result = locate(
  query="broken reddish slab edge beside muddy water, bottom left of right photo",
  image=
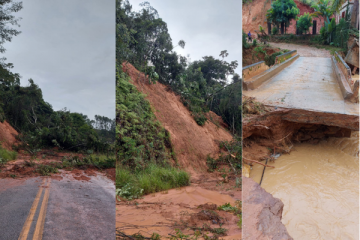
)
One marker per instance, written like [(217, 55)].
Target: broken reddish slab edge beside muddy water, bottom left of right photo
[(262, 214)]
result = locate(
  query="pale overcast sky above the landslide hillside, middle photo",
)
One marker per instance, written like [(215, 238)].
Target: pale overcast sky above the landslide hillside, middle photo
[(207, 26)]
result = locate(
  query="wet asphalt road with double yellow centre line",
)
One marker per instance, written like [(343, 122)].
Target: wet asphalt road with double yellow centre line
[(47, 208)]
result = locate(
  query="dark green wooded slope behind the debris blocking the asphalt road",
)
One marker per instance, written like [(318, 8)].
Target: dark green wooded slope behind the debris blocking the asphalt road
[(39, 125)]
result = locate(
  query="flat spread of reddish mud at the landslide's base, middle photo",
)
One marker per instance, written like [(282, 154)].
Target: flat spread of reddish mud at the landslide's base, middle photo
[(185, 209)]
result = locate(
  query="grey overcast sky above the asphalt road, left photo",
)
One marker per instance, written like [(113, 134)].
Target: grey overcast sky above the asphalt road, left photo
[(68, 48)]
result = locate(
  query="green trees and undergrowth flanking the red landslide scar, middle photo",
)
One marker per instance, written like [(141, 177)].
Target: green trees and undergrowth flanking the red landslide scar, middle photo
[(145, 156)]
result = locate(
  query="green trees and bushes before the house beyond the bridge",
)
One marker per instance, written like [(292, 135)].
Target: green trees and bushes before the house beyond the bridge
[(331, 34)]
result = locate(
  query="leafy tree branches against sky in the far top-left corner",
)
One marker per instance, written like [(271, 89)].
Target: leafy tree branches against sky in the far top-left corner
[(7, 8)]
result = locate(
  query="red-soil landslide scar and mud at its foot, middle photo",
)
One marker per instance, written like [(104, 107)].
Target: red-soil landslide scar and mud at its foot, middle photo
[(190, 208)]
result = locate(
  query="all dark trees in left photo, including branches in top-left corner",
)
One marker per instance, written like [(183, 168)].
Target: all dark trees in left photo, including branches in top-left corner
[(39, 126)]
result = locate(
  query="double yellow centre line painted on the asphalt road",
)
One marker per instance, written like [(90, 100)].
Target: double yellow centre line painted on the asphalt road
[(39, 228)]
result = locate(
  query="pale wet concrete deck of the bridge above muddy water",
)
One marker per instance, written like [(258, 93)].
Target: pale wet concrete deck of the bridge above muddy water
[(308, 83)]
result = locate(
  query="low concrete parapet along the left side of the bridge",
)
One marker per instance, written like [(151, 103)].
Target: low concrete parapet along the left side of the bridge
[(258, 79)]
